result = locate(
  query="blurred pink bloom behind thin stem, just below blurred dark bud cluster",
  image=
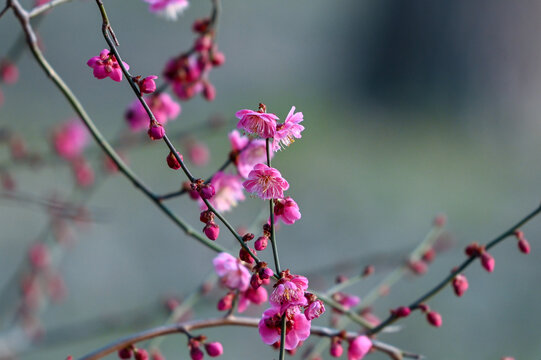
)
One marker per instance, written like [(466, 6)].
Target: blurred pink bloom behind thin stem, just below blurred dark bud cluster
[(163, 107)]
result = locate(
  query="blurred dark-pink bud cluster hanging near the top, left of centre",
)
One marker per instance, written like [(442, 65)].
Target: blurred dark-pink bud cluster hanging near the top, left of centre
[(188, 73)]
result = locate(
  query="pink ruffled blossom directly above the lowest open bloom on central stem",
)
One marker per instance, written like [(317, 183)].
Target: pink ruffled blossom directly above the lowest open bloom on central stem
[(289, 291)]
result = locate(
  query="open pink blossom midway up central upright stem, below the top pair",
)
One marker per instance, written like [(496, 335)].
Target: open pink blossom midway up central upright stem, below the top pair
[(266, 182)]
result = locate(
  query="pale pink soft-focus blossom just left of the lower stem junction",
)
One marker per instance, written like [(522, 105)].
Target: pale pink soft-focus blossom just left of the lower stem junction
[(232, 273)]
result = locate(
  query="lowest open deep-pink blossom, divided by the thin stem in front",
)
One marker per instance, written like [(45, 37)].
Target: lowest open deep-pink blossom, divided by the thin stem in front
[(297, 327)]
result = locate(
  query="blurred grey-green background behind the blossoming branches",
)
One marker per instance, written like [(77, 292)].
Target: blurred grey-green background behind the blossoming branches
[(410, 108)]
